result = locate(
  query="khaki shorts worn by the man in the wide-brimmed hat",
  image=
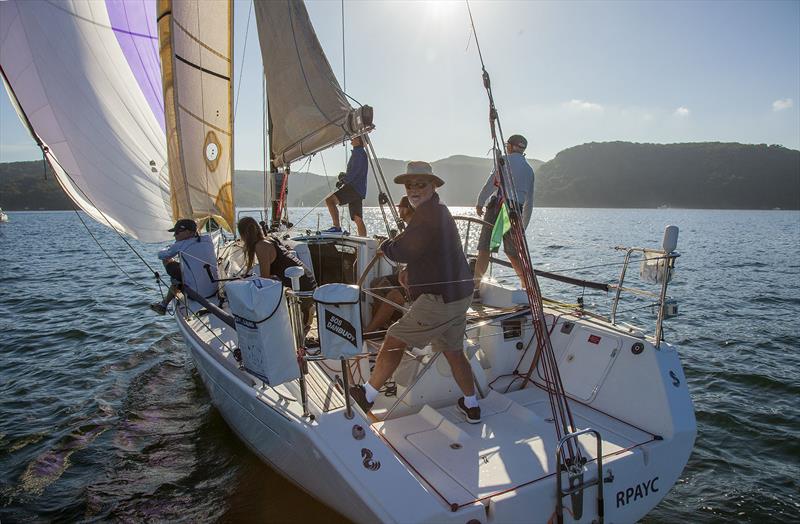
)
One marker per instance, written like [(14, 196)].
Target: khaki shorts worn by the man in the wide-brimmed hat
[(432, 321)]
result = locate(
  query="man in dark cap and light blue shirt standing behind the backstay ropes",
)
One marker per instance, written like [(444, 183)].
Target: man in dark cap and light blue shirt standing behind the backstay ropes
[(521, 202)]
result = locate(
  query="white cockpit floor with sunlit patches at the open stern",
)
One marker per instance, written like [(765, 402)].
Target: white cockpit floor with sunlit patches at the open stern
[(513, 446)]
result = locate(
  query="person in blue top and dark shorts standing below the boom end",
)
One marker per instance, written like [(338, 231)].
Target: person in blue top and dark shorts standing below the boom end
[(352, 190)]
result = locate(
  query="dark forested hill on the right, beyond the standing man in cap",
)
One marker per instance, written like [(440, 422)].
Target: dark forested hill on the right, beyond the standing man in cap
[(710, 175)]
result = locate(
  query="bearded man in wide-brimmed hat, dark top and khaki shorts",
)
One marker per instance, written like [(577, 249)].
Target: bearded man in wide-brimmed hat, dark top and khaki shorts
[(439, 284)]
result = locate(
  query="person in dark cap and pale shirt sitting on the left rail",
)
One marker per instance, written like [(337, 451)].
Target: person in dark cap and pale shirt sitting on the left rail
[(195, 252)]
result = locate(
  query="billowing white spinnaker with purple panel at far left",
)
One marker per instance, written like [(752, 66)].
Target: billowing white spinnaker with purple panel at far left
[(85, 75)]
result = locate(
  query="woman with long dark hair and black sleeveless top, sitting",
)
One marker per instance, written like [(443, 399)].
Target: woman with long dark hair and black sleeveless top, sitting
[(272, 257)]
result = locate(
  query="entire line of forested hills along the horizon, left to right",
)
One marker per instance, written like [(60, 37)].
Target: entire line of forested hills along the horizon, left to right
[(611, 174)]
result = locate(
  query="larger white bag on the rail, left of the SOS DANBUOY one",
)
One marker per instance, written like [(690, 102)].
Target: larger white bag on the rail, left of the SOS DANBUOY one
[(264, 329)]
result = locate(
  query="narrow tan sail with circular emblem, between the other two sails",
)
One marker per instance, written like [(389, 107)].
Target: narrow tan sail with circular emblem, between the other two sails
[(196, 56)]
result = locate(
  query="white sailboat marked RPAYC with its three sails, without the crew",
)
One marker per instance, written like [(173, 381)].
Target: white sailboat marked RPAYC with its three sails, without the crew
[(135, 119)]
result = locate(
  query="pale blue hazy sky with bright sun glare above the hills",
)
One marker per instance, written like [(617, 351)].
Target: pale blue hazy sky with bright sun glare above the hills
[(563, 74)]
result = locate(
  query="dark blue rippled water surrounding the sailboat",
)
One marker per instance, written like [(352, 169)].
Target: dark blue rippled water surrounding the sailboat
[(102, 415)]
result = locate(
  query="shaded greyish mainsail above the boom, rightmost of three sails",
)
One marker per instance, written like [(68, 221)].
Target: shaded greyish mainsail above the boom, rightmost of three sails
[(308, 110)]
